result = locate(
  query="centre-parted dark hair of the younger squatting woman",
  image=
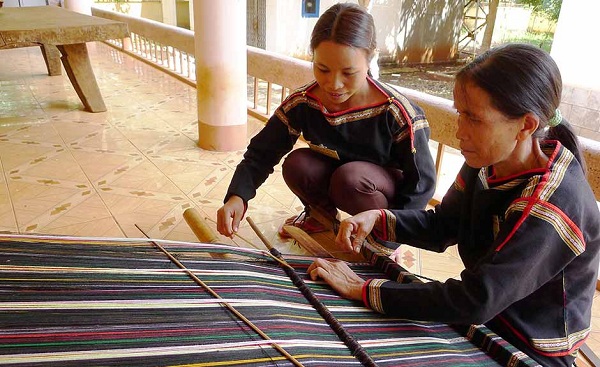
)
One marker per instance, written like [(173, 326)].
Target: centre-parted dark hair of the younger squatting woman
[(347, 24)]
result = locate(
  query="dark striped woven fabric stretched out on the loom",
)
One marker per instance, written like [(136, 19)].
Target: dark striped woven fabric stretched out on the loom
[(91, 302)]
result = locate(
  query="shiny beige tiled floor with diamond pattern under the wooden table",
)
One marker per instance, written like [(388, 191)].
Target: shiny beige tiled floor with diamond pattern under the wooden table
[(66, 171)]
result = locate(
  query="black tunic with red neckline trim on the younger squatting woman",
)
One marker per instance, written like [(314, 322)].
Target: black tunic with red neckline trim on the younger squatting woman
[(392, 134)]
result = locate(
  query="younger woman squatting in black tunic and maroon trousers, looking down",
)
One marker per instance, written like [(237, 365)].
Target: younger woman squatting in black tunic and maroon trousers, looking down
[(368, 143)]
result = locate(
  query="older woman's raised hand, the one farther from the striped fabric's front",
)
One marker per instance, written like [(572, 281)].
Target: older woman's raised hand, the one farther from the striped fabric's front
[(354, 230)]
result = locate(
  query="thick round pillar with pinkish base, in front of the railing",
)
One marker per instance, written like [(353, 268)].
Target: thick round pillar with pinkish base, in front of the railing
[(221, 72)]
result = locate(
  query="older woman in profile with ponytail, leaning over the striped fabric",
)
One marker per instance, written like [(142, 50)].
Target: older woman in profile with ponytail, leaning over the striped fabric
[(523, 216)]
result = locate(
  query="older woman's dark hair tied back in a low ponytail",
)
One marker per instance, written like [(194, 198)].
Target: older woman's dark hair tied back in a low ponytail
[(521, 78)]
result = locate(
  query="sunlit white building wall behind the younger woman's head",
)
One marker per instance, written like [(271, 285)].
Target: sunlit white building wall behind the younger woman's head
[(408, 31)]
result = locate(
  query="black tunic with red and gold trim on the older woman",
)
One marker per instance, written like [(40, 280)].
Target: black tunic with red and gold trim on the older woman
[(530, 245)]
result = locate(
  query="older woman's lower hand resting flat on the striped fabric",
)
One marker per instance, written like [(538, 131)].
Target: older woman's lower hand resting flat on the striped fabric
[(339, 276)]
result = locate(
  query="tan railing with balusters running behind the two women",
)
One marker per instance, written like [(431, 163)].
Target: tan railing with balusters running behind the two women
[(271, 76)]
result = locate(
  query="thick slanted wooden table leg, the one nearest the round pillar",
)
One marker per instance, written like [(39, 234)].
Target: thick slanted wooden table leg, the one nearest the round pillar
[(76, 61)]
